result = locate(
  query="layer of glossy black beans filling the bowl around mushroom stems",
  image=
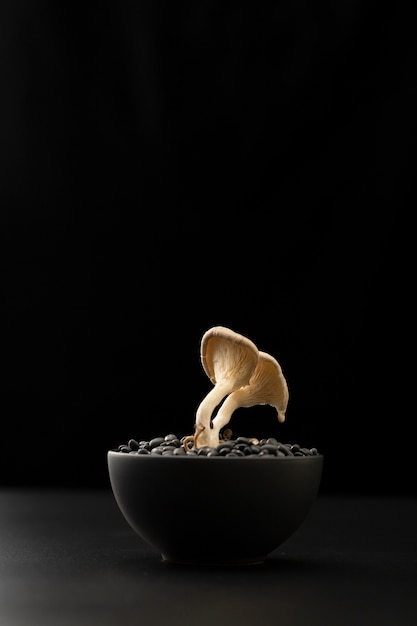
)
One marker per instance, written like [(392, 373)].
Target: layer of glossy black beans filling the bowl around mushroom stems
[(239, 447)]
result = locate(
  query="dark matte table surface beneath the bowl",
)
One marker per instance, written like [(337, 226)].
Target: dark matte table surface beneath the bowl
[(69, 558)]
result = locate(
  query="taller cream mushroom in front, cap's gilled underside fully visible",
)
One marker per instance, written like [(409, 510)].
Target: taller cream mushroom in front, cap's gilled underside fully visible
[(229, 360)]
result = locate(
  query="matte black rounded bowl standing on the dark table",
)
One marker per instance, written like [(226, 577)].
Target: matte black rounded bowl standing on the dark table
[(214, 510)]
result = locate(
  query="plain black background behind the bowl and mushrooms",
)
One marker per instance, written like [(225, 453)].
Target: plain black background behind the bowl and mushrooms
[(170, 168)]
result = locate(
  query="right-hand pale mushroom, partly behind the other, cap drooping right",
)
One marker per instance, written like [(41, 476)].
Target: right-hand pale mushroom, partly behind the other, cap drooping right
[(266, 386)]
